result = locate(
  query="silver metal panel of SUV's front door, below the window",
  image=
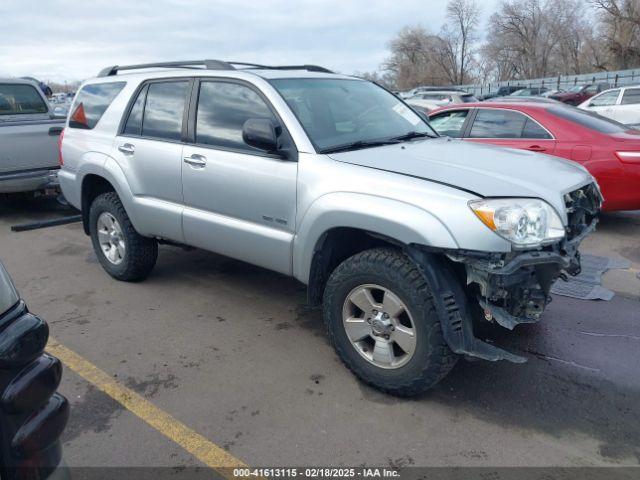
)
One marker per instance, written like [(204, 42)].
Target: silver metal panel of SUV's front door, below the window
[(224, 213)]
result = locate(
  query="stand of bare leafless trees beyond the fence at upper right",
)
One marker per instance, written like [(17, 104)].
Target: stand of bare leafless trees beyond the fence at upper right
[(524, 39)]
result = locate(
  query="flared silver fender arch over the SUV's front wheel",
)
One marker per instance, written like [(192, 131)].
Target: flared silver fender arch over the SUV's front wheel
[(398, 220)]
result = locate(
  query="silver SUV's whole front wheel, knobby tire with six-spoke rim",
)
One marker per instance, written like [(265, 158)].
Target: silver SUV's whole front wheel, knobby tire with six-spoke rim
[(381, 319)]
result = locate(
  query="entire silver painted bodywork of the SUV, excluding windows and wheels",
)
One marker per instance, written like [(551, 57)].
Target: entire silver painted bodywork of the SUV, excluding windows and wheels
[(417, 192)]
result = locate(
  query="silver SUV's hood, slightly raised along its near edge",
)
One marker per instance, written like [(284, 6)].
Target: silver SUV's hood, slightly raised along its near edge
[(484, 170)]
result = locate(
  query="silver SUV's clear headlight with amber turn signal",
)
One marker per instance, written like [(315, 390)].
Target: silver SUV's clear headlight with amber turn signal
[(525, 222)]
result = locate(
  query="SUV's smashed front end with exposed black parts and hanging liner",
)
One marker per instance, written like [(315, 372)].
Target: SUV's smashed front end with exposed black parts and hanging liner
[(510, 288)]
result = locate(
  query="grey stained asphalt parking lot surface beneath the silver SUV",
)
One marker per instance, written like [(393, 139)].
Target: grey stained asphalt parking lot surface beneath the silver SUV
[(231, 352)]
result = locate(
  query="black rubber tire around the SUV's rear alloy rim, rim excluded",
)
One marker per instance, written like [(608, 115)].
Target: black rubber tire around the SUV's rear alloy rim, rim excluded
[(141, 252)]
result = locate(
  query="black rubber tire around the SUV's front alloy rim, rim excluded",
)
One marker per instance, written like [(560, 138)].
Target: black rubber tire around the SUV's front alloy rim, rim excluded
[(432, 358)]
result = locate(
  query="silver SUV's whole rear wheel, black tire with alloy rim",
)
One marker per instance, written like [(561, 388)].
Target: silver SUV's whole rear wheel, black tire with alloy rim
[(123, 253)]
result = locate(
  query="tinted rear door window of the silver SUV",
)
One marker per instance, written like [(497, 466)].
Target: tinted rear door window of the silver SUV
[(164, 110)]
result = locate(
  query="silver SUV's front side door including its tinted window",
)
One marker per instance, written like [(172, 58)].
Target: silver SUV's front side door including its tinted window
[(239, 201)]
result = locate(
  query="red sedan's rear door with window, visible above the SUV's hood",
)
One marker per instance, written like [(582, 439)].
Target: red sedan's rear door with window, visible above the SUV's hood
[(510, 128)]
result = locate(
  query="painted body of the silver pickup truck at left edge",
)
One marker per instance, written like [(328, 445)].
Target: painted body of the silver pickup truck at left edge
[(29, 155)]
